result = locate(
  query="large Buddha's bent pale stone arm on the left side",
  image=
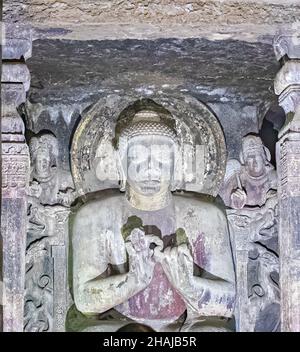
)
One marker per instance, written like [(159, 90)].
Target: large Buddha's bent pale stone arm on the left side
[(93, 292)]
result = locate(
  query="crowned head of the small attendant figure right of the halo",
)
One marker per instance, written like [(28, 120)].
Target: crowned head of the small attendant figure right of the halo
[(254, 156)]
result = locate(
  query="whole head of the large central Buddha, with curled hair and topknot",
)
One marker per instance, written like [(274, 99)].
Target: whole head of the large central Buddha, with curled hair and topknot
[(148, 147)]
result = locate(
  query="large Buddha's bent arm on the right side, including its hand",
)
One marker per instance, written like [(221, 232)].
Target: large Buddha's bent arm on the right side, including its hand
[(213, 294)]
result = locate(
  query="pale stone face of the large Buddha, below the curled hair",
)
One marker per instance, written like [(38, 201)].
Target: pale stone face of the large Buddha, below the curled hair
[(150, 163)]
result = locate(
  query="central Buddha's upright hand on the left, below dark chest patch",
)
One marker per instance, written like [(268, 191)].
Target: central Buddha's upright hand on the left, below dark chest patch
[(141, 260)]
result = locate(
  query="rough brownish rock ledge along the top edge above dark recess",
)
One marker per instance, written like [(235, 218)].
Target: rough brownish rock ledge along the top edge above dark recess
[(153, 19)]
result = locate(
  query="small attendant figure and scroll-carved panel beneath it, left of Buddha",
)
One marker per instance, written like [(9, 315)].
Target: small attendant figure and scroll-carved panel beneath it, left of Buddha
[(49, 196)]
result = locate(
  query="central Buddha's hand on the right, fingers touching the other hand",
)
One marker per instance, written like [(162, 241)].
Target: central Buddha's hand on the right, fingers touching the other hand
[(178, 265)]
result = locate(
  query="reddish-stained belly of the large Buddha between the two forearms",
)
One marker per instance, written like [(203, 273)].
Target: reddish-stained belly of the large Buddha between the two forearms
[(158, 301)]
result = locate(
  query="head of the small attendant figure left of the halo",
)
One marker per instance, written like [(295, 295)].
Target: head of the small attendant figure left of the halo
[(43, 152)]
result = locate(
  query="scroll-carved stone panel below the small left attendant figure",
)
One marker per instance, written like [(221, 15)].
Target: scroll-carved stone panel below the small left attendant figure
[(46, 279)]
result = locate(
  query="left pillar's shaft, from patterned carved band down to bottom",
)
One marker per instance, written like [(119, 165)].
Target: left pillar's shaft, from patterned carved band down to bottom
[(15, 172)]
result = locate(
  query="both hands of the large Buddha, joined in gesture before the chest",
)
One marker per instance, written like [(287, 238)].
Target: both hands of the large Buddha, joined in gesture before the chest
[(145, 251)]
